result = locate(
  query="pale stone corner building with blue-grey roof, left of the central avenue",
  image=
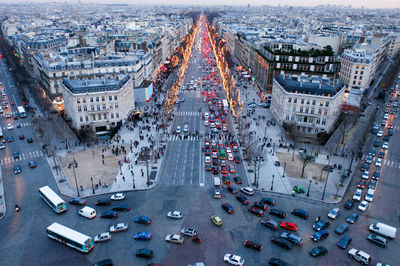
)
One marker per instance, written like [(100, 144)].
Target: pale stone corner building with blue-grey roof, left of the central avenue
[(99, 104)]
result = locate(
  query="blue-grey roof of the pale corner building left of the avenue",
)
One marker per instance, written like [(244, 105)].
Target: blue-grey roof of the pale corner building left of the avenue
[(76, 86)]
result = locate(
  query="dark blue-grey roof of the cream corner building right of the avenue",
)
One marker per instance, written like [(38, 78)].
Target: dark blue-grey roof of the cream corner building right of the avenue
[(313, 86)]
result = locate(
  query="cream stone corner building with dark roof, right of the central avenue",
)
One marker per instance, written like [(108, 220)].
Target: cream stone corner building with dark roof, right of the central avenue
[(313, 105)]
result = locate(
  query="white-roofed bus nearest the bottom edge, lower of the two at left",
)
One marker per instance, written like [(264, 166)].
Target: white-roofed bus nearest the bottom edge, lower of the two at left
[(70, 237)]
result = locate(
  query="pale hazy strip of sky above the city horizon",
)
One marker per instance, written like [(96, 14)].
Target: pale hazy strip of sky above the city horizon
[(353, 3)]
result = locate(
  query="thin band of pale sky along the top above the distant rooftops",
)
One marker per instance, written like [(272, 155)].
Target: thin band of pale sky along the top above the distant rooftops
[(369, 4)]
